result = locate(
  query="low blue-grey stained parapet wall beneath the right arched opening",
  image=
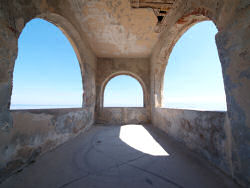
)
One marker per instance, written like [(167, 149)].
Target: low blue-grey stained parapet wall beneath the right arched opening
[(203, 132)]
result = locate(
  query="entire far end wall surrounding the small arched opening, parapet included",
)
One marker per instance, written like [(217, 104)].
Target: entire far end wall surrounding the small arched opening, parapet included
[(108, 69)]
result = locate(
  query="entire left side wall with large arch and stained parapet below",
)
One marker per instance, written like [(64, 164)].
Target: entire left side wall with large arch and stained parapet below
[(26, 134)]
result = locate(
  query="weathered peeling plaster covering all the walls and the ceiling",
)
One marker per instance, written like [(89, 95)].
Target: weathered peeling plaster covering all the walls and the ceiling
[(112, 29)]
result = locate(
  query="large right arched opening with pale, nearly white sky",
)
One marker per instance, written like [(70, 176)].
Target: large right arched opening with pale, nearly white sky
[(193, 77)]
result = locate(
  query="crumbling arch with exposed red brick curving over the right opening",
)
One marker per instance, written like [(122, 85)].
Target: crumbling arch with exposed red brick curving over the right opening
[(169, 38)]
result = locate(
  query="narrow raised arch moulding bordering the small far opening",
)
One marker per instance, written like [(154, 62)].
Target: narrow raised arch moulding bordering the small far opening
[(105, 82)]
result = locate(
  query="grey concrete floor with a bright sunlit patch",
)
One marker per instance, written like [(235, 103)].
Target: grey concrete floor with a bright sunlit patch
[(101, 158)]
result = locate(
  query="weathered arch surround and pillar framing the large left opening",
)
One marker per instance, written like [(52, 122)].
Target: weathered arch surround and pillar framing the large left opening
[(11, 49)]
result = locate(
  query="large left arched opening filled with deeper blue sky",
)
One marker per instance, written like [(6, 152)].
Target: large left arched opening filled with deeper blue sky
[(47, 72)]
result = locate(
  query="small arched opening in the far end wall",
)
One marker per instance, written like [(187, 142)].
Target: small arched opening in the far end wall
[(123, 91)]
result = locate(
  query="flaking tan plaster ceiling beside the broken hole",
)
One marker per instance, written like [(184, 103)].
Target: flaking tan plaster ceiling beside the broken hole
[(114, 29)]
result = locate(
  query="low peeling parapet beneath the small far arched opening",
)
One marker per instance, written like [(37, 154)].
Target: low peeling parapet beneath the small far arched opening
[(122, 116)]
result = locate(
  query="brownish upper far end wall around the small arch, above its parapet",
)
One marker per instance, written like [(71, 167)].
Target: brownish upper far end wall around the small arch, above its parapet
[(109, 68)]
